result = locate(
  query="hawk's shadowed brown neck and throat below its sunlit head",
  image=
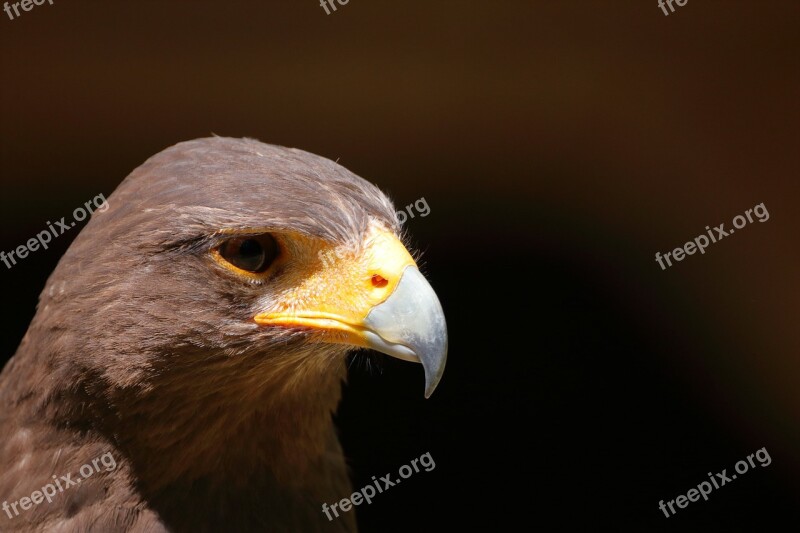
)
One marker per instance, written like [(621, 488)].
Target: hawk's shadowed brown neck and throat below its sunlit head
[(221, 446)]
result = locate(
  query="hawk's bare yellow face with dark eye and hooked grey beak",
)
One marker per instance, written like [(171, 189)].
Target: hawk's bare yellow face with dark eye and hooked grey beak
[(367, 293)]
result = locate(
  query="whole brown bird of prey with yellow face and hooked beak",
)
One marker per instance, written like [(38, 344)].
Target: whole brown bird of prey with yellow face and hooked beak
[(195, 334)]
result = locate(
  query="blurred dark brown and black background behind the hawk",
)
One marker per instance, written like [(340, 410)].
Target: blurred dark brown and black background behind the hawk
[(559, 145)]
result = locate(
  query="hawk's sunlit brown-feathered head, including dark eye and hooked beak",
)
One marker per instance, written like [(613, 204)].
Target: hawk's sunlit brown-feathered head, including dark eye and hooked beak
[(260, 255)]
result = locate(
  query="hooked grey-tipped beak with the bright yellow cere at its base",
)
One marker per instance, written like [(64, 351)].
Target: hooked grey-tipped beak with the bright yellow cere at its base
[(376, 299)]
